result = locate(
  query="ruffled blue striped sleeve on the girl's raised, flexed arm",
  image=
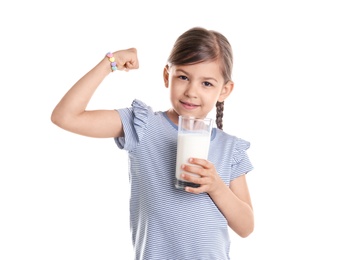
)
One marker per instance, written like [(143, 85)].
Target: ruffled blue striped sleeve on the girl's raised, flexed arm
[(134, 120)]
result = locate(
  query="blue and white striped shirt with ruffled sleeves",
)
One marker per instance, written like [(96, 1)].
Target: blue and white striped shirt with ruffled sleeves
[(167, 223)]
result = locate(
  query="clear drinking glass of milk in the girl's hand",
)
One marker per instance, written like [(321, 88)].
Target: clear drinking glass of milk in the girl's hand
[(193, 140)]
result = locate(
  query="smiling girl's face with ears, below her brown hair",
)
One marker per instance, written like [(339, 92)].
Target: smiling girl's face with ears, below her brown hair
[(195, 89)]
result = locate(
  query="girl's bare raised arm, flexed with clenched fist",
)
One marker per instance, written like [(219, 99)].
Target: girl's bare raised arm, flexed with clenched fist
[(71, 114)]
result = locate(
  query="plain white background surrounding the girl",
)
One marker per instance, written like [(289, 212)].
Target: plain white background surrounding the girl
[(64, 196)]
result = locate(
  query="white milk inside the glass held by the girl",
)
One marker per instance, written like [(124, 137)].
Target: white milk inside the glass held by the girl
[(191, 145)]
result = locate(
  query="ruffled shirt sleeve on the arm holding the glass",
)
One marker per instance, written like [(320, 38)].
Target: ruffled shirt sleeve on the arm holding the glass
[(241, 163)]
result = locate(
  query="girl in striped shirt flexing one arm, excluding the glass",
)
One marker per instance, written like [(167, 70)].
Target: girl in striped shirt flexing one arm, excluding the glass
[(168, 223)]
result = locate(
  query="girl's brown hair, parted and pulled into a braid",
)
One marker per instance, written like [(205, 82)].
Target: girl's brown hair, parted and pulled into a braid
[(200, 45)]
